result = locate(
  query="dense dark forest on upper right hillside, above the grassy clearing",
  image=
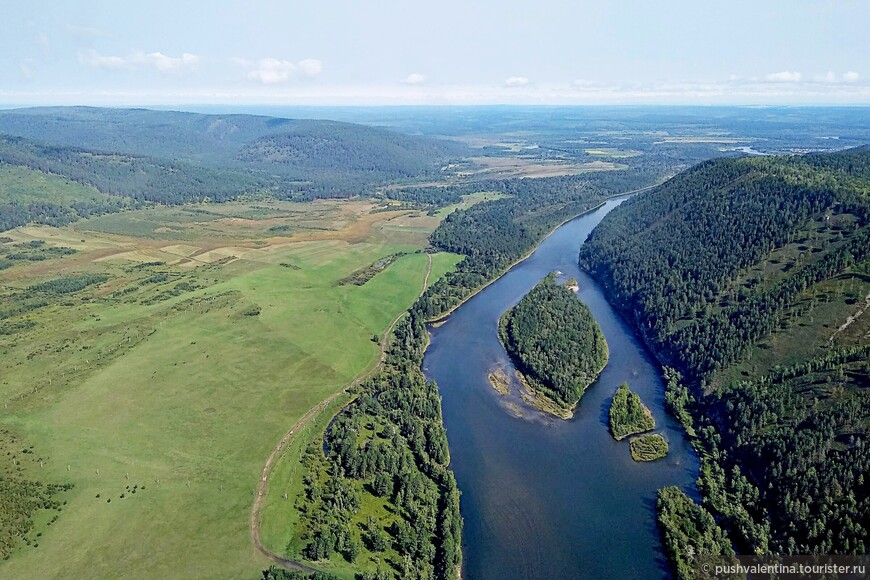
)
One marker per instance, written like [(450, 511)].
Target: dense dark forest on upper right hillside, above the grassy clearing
[(666, 257)]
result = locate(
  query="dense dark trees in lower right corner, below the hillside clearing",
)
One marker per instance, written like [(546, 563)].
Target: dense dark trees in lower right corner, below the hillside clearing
[(801, 432)]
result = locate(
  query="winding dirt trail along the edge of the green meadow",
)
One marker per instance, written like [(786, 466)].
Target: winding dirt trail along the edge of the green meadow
[(263, 484)]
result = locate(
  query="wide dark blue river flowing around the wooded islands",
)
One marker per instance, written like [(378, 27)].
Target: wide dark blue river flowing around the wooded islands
[(541, 497)]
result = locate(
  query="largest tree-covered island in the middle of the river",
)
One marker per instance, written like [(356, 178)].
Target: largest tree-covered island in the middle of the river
[(556, 345)]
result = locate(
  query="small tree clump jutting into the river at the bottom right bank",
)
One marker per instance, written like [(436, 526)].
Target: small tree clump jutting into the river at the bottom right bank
[(688, 531)]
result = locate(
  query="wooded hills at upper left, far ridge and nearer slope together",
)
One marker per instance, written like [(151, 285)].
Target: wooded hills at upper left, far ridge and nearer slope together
[(137, 153)]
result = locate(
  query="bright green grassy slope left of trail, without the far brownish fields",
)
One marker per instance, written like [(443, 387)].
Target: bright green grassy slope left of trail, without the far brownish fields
[(197, 406)]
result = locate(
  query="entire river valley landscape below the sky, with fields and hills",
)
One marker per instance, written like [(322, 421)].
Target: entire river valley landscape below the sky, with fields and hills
[(174, 317)]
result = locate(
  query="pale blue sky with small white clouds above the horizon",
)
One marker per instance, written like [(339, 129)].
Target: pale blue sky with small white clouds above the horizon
[(456, 52)]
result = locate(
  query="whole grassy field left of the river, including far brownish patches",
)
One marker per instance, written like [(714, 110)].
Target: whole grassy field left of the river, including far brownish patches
[(160, 392)]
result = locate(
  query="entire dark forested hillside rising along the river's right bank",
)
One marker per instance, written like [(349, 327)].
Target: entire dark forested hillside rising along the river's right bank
[(750, 277)]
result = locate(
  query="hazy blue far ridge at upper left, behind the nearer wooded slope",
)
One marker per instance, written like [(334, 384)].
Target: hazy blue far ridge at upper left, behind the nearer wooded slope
[(308, 150)]
